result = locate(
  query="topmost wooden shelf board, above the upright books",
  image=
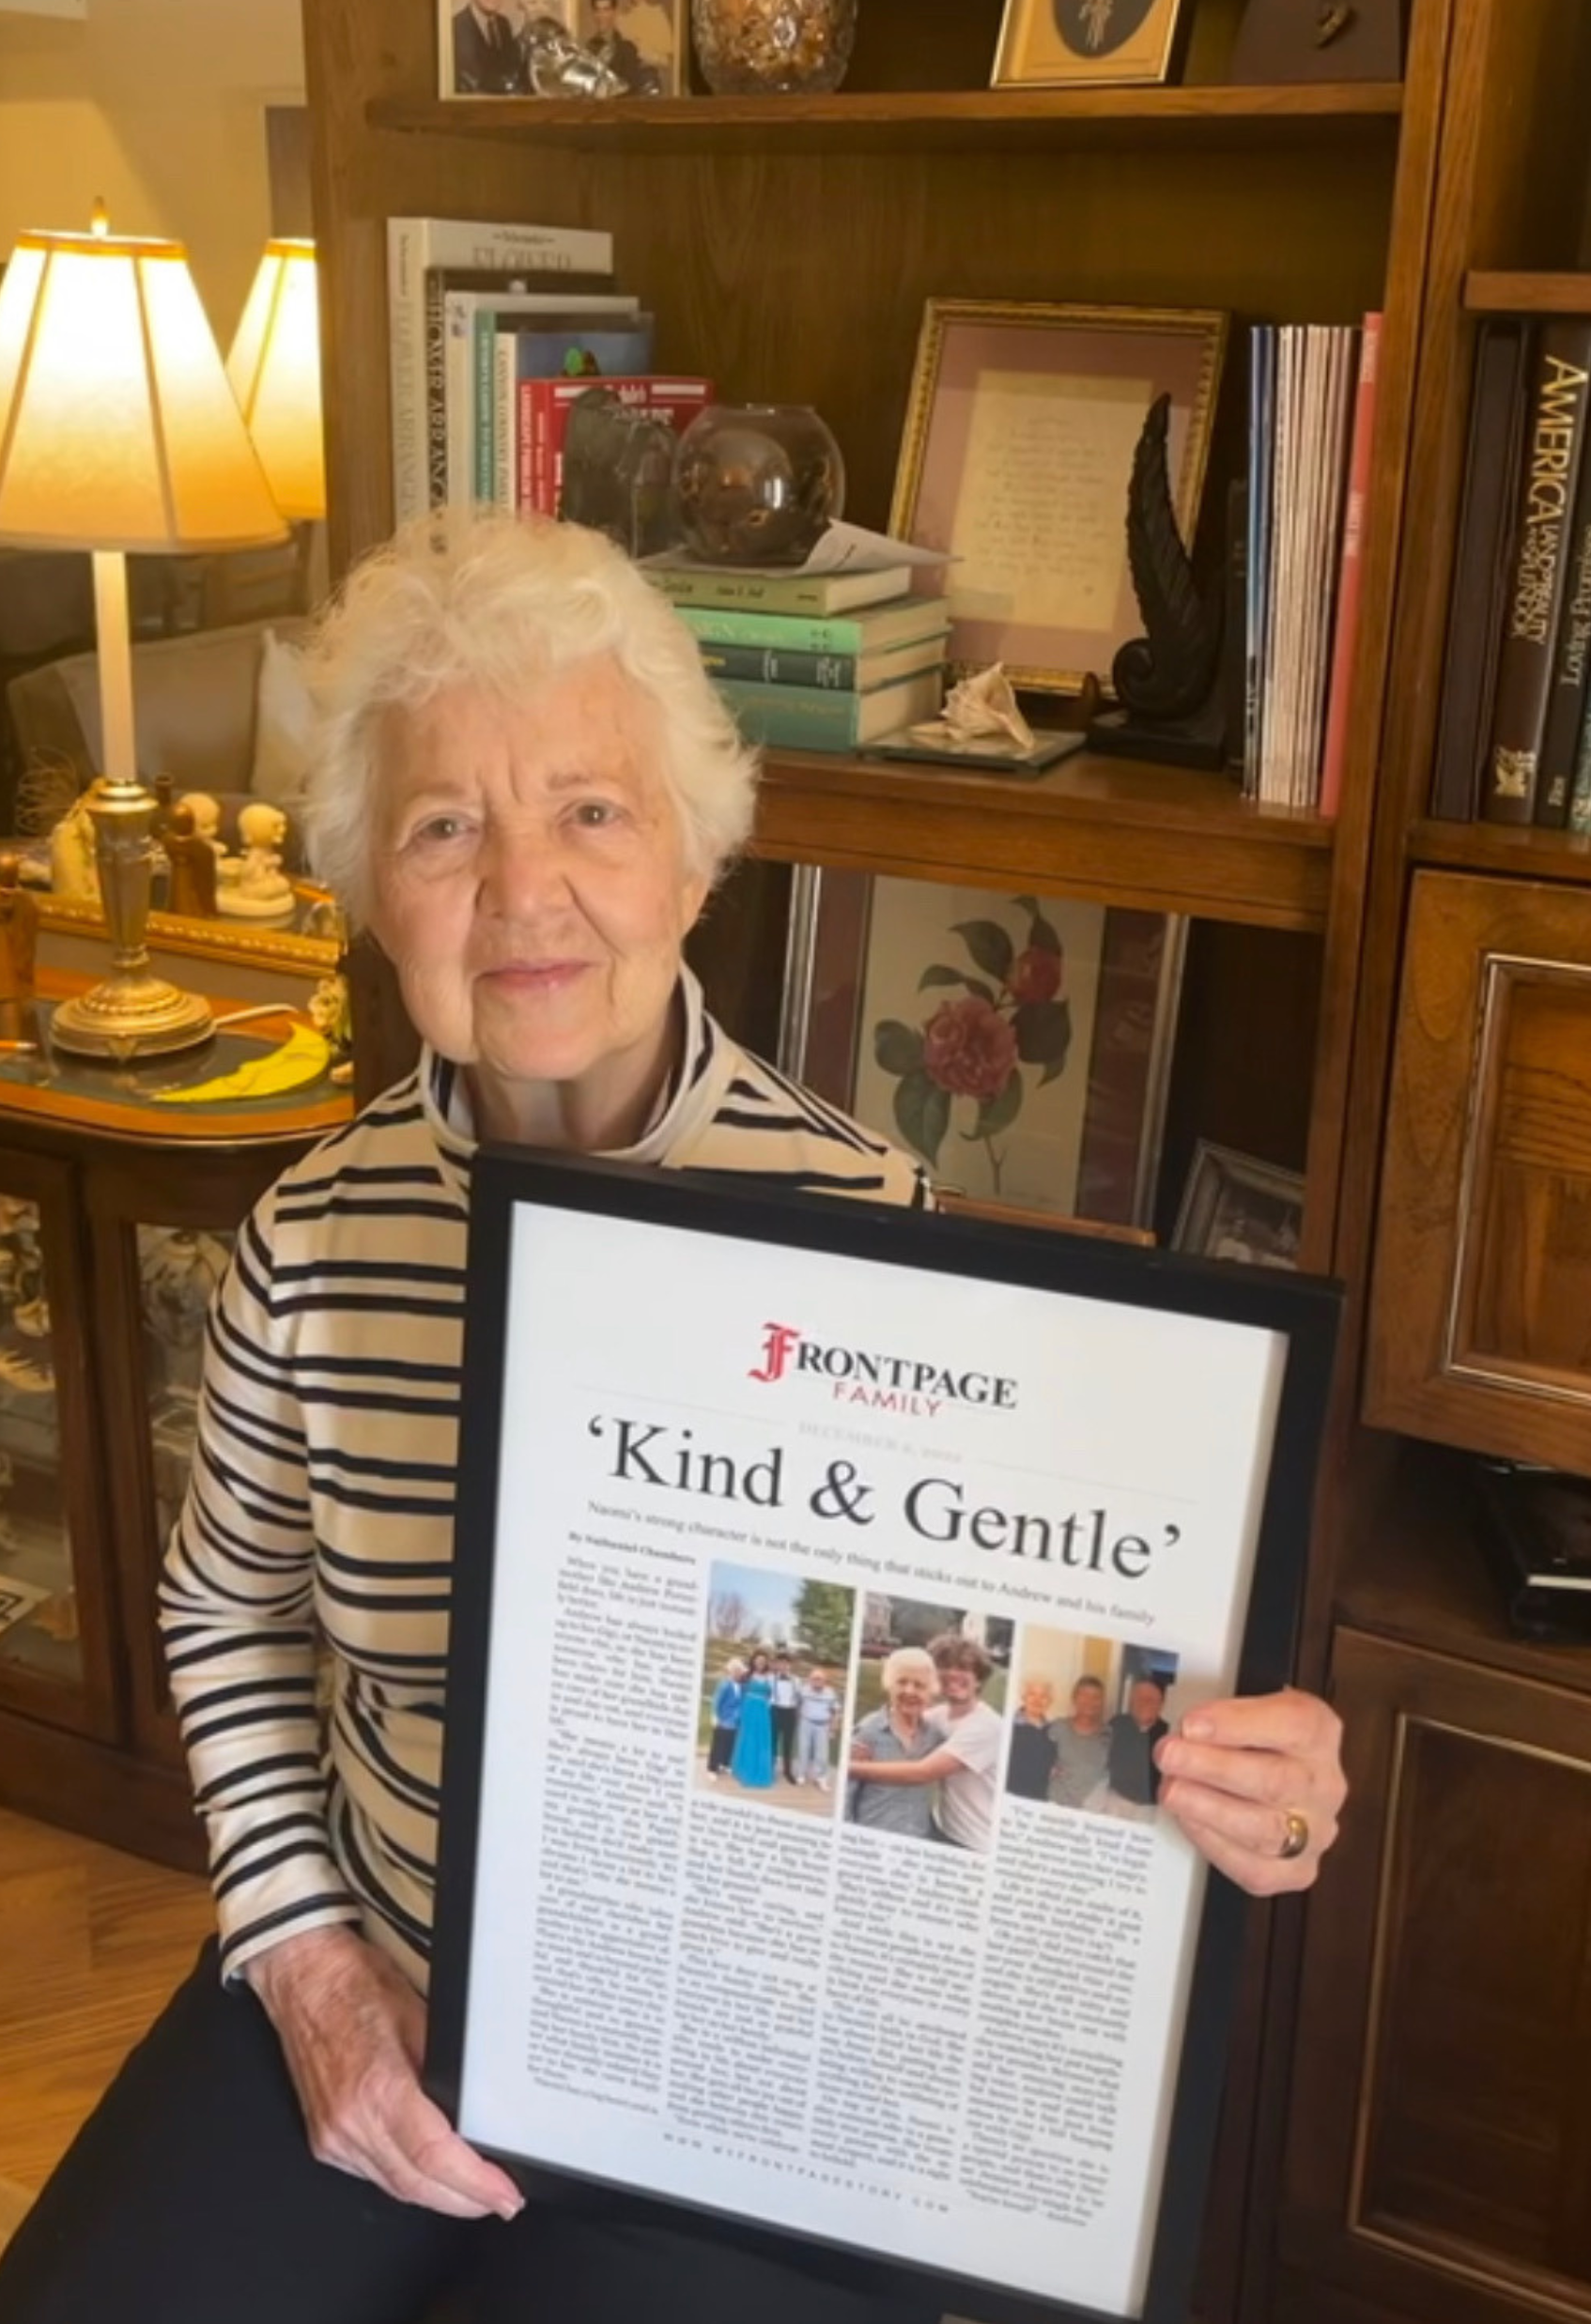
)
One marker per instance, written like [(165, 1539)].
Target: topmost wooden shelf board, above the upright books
[(915, 120)]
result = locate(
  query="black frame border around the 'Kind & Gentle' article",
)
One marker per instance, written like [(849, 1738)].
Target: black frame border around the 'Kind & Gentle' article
[(1301, 1310)]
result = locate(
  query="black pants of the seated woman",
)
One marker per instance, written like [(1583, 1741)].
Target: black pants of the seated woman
[(192, 2195)]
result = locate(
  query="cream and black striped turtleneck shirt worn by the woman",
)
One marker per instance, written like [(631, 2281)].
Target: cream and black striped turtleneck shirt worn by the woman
[(320, 1519)]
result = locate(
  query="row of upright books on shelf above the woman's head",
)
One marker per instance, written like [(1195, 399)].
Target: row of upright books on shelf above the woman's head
[(494, 333)]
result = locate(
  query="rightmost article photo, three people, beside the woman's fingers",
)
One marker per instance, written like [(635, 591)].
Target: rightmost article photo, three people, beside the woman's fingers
[(1085, 1723)]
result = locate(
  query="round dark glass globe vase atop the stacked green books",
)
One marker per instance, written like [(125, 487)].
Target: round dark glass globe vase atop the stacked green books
[(757, 485)]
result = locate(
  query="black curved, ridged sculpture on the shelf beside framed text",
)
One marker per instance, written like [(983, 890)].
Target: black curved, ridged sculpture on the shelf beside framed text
[(1169, 682)]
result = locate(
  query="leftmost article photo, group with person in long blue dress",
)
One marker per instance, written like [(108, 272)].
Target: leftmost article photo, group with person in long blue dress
[(773, 1700)]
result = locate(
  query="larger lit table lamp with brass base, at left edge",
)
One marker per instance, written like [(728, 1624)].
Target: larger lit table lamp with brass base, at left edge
[(120, 433)]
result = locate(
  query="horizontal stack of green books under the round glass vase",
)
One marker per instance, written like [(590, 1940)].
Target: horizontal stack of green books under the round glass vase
[(815, 661)]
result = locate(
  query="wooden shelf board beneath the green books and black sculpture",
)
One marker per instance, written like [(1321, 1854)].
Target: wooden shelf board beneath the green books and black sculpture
[(1106, 829)]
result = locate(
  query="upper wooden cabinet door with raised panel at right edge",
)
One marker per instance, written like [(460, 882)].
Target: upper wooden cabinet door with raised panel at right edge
[(1481, 1321)]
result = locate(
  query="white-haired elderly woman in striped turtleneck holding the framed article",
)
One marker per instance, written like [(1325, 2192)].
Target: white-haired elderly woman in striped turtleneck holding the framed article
[(527, 789)]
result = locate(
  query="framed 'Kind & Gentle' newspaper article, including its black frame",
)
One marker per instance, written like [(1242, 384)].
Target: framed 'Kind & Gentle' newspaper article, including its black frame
[(825, 1581)]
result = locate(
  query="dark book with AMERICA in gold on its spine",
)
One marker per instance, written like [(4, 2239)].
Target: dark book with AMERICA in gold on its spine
[(1555, 450)]
